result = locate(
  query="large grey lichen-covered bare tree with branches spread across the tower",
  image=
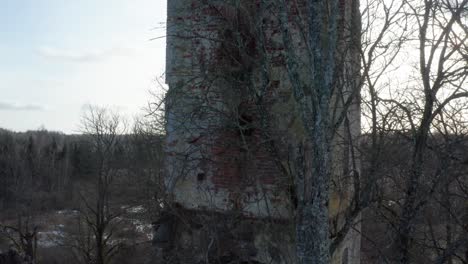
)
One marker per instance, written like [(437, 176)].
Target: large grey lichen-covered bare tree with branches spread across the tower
[(238, 67)]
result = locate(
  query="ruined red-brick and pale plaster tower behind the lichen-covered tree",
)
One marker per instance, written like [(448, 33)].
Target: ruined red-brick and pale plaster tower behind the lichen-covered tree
[(234, 139)]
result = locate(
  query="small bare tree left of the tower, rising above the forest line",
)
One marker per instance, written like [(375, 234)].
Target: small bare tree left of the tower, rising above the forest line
[(99, 214)]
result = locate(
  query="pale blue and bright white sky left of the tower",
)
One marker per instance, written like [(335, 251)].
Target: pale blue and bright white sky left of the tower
[(58, 56)]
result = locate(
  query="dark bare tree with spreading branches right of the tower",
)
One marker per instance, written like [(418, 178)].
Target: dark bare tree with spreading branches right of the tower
[(421, 106)]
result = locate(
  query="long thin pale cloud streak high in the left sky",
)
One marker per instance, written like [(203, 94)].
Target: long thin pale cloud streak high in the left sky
[(83, 55)]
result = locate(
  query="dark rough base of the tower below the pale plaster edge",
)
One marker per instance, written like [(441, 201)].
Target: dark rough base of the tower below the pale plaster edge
[(226, 237)]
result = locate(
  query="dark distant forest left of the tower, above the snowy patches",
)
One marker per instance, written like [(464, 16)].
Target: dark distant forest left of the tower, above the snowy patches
[(43, 170)]
